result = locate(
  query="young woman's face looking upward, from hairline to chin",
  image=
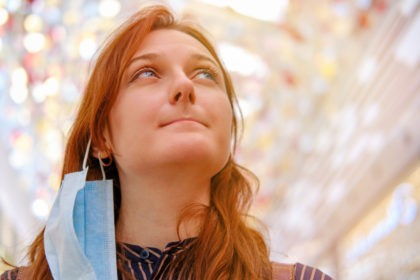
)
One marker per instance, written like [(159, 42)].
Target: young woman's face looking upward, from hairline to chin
[(172, 108)]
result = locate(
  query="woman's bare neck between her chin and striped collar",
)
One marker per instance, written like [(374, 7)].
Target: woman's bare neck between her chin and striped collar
[(151, 205)]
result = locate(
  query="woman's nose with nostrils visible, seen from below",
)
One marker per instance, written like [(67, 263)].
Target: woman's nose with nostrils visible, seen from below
[(182, 90)]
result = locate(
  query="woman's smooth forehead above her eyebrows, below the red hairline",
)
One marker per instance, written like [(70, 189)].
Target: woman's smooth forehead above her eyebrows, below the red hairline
[(171, 41)]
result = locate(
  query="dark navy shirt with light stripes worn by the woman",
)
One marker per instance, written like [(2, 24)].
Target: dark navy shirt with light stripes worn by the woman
[(152, 263)]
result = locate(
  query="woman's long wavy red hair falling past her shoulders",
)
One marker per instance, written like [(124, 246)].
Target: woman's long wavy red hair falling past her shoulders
[(226, 247)]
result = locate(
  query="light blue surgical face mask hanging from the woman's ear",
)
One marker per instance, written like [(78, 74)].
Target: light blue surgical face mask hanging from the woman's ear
[(79, 237)]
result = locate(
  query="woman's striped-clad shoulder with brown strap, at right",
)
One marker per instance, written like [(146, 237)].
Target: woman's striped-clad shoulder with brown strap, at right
[(297, 271)]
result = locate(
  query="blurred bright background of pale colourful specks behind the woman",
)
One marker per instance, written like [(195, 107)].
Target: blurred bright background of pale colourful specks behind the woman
[(330, 92)]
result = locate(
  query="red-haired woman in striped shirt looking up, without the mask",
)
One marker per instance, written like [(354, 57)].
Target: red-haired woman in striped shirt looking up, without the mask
[(159, 110)]
